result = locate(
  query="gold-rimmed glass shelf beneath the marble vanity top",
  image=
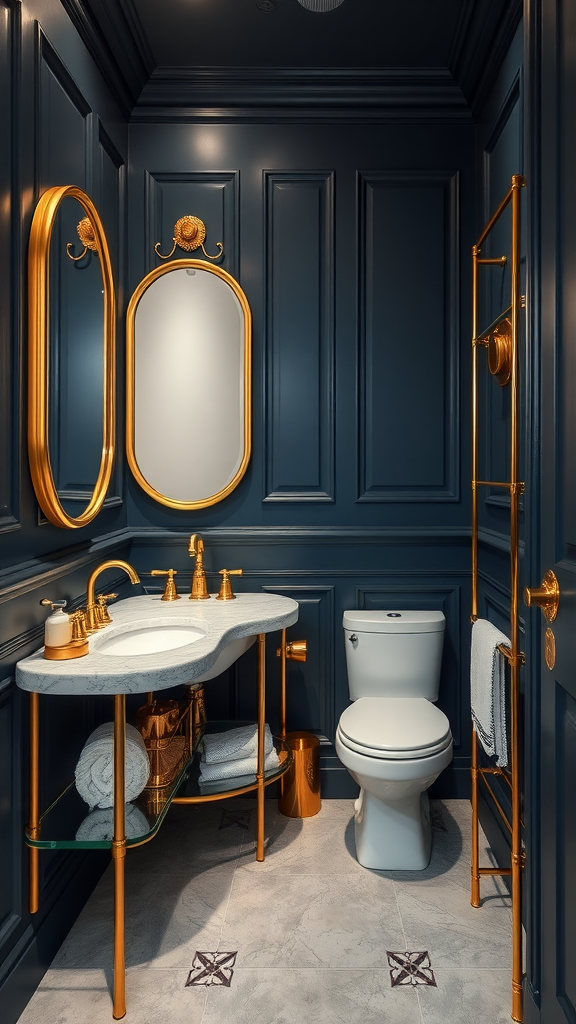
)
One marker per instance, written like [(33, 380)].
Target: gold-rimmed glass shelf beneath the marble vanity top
[(61, 823)]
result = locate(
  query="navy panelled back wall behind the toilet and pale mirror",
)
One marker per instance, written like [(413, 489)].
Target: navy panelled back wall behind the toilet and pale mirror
[(351, 242)]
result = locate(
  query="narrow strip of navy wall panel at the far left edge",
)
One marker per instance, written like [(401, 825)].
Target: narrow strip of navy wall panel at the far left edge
[(11, 121)]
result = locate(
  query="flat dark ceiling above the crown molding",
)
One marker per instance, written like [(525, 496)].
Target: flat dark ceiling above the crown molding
[(359, 34)]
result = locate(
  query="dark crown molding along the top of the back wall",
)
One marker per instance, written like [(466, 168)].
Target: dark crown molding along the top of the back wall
[(200, 95)]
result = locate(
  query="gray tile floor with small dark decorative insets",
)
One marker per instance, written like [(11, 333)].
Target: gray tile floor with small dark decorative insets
[(310, 927)]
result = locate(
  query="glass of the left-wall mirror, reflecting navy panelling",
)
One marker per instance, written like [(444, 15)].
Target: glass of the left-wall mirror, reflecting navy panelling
[(76, 362)]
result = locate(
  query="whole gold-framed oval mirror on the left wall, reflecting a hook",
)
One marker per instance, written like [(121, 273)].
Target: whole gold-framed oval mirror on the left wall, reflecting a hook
[(72, 344)]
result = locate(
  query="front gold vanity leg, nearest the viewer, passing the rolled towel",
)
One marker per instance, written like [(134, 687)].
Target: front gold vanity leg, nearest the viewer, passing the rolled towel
[(118, 856)]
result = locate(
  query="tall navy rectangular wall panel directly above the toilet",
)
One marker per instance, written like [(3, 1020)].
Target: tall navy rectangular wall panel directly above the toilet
[(408, 291)]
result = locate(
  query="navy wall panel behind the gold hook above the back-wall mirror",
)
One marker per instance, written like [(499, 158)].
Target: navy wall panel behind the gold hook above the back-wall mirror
[(213, 196)]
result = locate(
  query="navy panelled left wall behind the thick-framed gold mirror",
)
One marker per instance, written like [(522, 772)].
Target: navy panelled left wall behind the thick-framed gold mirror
[(59, 125)]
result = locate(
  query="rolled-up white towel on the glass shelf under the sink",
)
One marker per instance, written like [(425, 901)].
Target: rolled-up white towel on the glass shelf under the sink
[(95, 772)]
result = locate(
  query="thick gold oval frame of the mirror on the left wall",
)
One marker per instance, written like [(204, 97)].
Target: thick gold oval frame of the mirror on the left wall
[(38, 354)]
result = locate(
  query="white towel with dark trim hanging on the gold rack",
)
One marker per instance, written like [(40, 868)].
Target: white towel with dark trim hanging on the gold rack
[(488, 696)]
